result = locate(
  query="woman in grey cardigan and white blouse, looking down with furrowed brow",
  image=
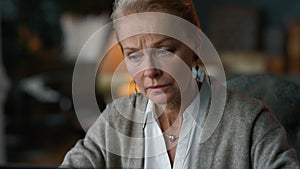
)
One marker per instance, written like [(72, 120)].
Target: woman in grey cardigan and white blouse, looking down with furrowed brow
[(163, 127)]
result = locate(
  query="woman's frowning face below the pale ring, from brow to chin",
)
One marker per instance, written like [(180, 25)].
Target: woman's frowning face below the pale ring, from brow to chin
[(159, 65)]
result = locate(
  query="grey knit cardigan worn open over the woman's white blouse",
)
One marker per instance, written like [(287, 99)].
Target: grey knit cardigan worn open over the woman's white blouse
[(248, 136)]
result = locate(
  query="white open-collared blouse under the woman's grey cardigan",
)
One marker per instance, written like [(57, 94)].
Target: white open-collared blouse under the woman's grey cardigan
[(156, 155)]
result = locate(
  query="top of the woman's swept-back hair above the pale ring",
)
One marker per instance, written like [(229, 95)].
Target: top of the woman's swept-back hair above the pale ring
[(181, 8)]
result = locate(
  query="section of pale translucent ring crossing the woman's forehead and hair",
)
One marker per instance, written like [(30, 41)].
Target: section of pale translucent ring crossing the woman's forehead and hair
[(159, 23)]
